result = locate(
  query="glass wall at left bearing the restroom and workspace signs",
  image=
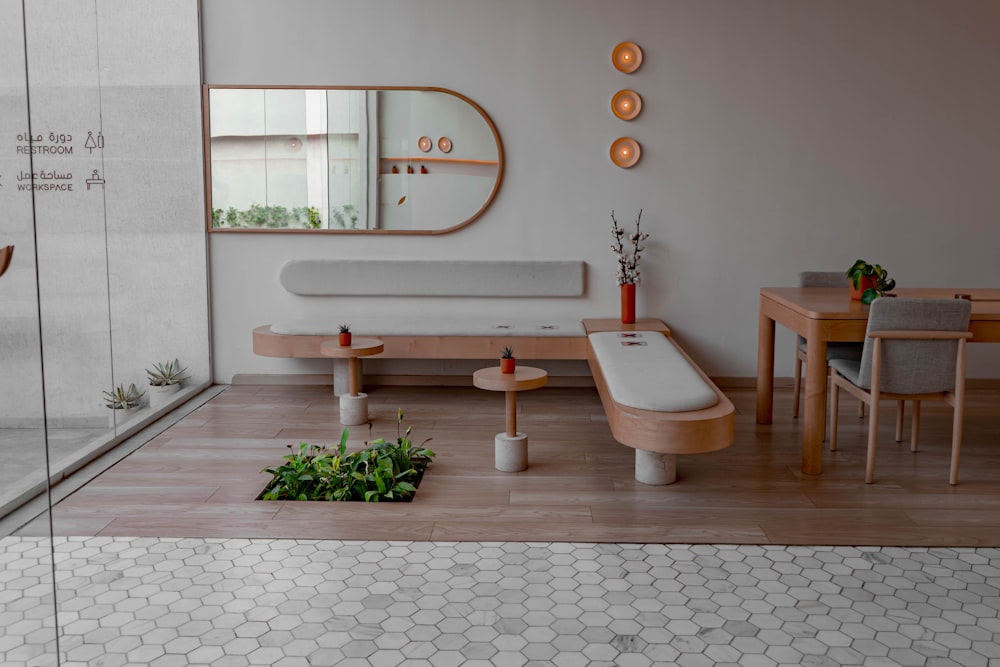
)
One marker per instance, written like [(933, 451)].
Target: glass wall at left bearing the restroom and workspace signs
[(101, 175)]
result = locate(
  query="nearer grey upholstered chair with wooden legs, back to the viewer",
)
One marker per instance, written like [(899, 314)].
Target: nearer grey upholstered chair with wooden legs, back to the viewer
[(914, 349)]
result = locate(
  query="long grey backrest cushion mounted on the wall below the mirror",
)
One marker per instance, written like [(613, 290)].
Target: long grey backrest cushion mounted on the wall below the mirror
[(418, 277)]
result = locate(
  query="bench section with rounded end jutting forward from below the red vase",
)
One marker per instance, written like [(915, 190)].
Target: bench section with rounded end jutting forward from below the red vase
[(657, 399)]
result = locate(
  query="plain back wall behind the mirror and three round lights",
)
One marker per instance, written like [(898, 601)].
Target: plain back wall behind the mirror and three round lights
[(777, 135)]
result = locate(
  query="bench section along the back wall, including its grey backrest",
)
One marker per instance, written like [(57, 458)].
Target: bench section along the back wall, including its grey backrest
[(311, 282)]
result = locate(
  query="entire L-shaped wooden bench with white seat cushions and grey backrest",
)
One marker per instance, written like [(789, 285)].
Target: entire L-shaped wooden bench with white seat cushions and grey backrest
[(658, 431)]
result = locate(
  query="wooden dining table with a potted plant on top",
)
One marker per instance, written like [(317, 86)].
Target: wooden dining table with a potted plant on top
[(822, 315)]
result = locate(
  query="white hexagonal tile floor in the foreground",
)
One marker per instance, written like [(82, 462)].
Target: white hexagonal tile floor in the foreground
[(166, 602)]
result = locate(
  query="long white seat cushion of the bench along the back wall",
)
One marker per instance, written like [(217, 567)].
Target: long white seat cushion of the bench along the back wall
[(410, 326)]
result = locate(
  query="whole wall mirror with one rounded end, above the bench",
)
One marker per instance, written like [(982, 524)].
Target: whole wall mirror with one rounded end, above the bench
[(347, 160)]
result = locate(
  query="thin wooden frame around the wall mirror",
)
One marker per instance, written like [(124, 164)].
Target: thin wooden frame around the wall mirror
[(207, 140)]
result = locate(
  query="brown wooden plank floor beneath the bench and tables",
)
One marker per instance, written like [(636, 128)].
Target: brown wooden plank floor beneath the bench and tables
[(200, 477)]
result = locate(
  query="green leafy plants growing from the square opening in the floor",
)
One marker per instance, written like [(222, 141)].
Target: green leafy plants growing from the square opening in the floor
[(382, 471)]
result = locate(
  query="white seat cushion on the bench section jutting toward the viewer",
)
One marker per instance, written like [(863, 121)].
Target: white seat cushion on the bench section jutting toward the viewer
[(644, 370)]
